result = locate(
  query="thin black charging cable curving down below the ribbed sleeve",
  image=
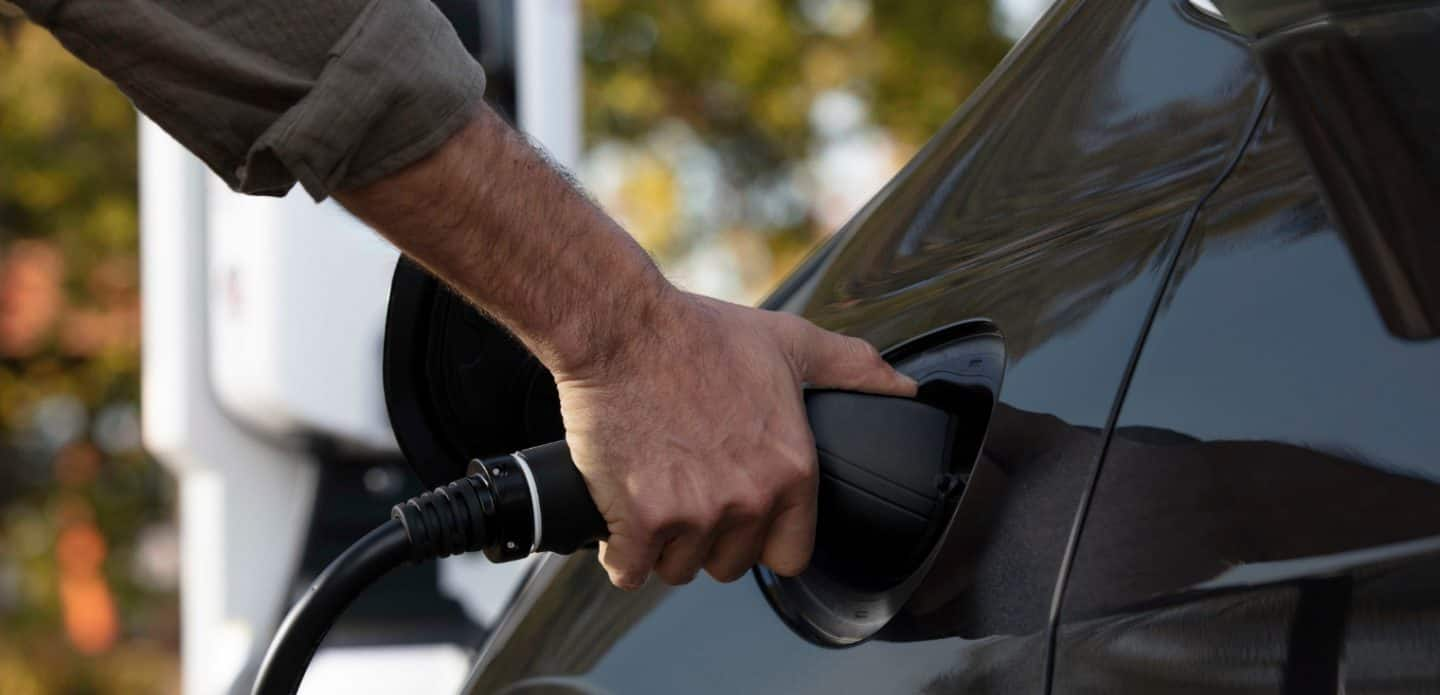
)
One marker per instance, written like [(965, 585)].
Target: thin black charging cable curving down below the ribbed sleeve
[(333, 591)]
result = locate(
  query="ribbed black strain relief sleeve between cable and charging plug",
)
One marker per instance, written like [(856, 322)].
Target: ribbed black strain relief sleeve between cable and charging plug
[(447, 522)]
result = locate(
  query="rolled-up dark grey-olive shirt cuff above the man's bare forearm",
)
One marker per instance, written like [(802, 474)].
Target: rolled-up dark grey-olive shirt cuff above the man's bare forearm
[(397, 87)]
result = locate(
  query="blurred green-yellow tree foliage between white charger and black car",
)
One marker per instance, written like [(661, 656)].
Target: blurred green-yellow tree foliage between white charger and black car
[(741, 80)]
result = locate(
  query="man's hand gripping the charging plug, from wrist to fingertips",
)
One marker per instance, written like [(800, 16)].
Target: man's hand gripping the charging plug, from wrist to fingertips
[(693, 438)]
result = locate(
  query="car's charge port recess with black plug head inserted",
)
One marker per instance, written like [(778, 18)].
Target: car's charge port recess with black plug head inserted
[(895, 478)]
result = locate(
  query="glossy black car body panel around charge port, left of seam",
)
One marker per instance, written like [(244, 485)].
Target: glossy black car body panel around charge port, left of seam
[(1050, 209)]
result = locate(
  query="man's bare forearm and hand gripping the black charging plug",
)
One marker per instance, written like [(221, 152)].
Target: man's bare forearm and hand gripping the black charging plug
[(683, 414)]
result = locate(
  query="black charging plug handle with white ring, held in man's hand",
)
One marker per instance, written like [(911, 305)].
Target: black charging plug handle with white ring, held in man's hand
[(883, 489)]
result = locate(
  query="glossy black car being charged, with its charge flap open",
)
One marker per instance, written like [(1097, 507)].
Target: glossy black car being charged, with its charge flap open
[(1177, 274)]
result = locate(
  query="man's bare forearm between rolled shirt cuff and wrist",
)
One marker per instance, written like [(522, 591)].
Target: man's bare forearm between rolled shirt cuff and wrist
[(490, 217)]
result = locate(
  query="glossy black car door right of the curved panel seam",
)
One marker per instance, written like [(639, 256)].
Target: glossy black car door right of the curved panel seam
[(1268, 514)]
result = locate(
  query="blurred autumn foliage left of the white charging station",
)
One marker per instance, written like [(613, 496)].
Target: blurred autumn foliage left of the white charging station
[(77, 494)]
